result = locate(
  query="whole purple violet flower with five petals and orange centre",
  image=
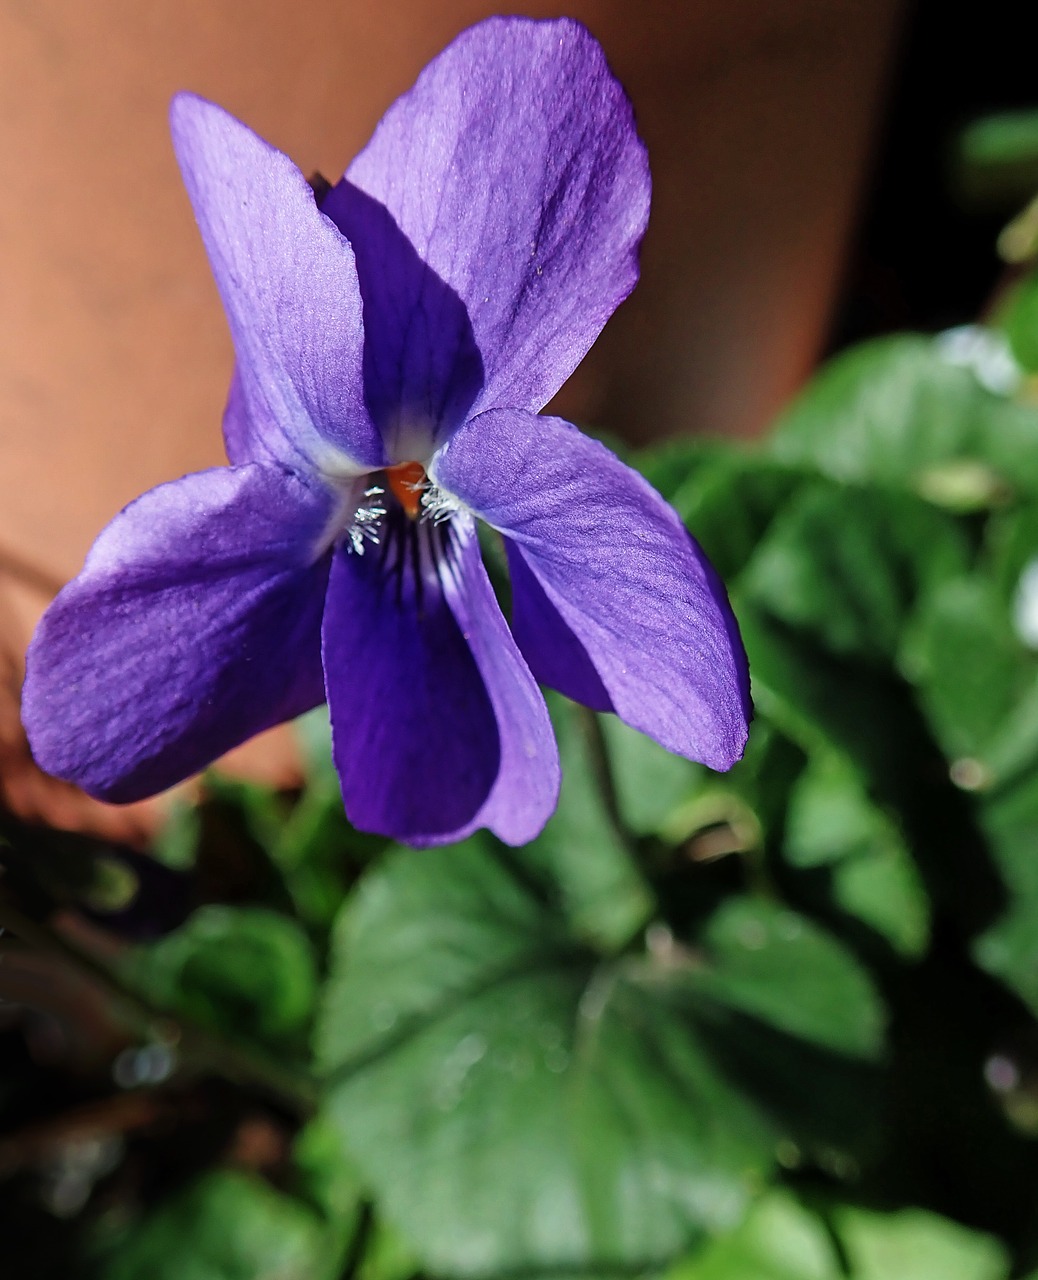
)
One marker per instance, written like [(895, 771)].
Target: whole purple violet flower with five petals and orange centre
[(395, 344)]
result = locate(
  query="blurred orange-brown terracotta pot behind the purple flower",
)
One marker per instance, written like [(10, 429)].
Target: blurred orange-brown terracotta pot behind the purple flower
[(116, 356)]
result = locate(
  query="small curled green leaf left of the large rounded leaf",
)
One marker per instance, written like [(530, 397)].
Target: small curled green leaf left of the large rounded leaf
[(245, 971)]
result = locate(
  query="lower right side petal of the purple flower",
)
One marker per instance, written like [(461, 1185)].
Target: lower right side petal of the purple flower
[(614, 602)]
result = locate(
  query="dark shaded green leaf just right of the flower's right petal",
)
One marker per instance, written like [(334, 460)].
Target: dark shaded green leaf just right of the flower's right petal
[(849, 565)]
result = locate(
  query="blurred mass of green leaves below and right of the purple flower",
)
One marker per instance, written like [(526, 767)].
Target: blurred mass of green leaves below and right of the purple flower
[(780, 1025)]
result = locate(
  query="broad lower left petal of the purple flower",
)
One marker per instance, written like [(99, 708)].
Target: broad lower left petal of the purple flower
[(194, 625)]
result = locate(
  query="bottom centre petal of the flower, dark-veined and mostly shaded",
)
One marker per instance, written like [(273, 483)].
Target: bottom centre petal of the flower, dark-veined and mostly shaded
[(438, 726)]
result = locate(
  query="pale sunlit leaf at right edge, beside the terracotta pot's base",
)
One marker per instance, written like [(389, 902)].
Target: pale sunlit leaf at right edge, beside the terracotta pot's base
[(897, 413)]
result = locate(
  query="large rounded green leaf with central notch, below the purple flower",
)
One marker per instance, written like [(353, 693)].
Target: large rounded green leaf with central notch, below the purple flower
[(516, 1101)]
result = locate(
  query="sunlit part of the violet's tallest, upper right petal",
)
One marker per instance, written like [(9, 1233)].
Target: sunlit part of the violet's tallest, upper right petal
[(515, 171)]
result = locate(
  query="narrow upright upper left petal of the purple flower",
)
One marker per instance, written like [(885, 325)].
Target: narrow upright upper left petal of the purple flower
[(290, 289)]
